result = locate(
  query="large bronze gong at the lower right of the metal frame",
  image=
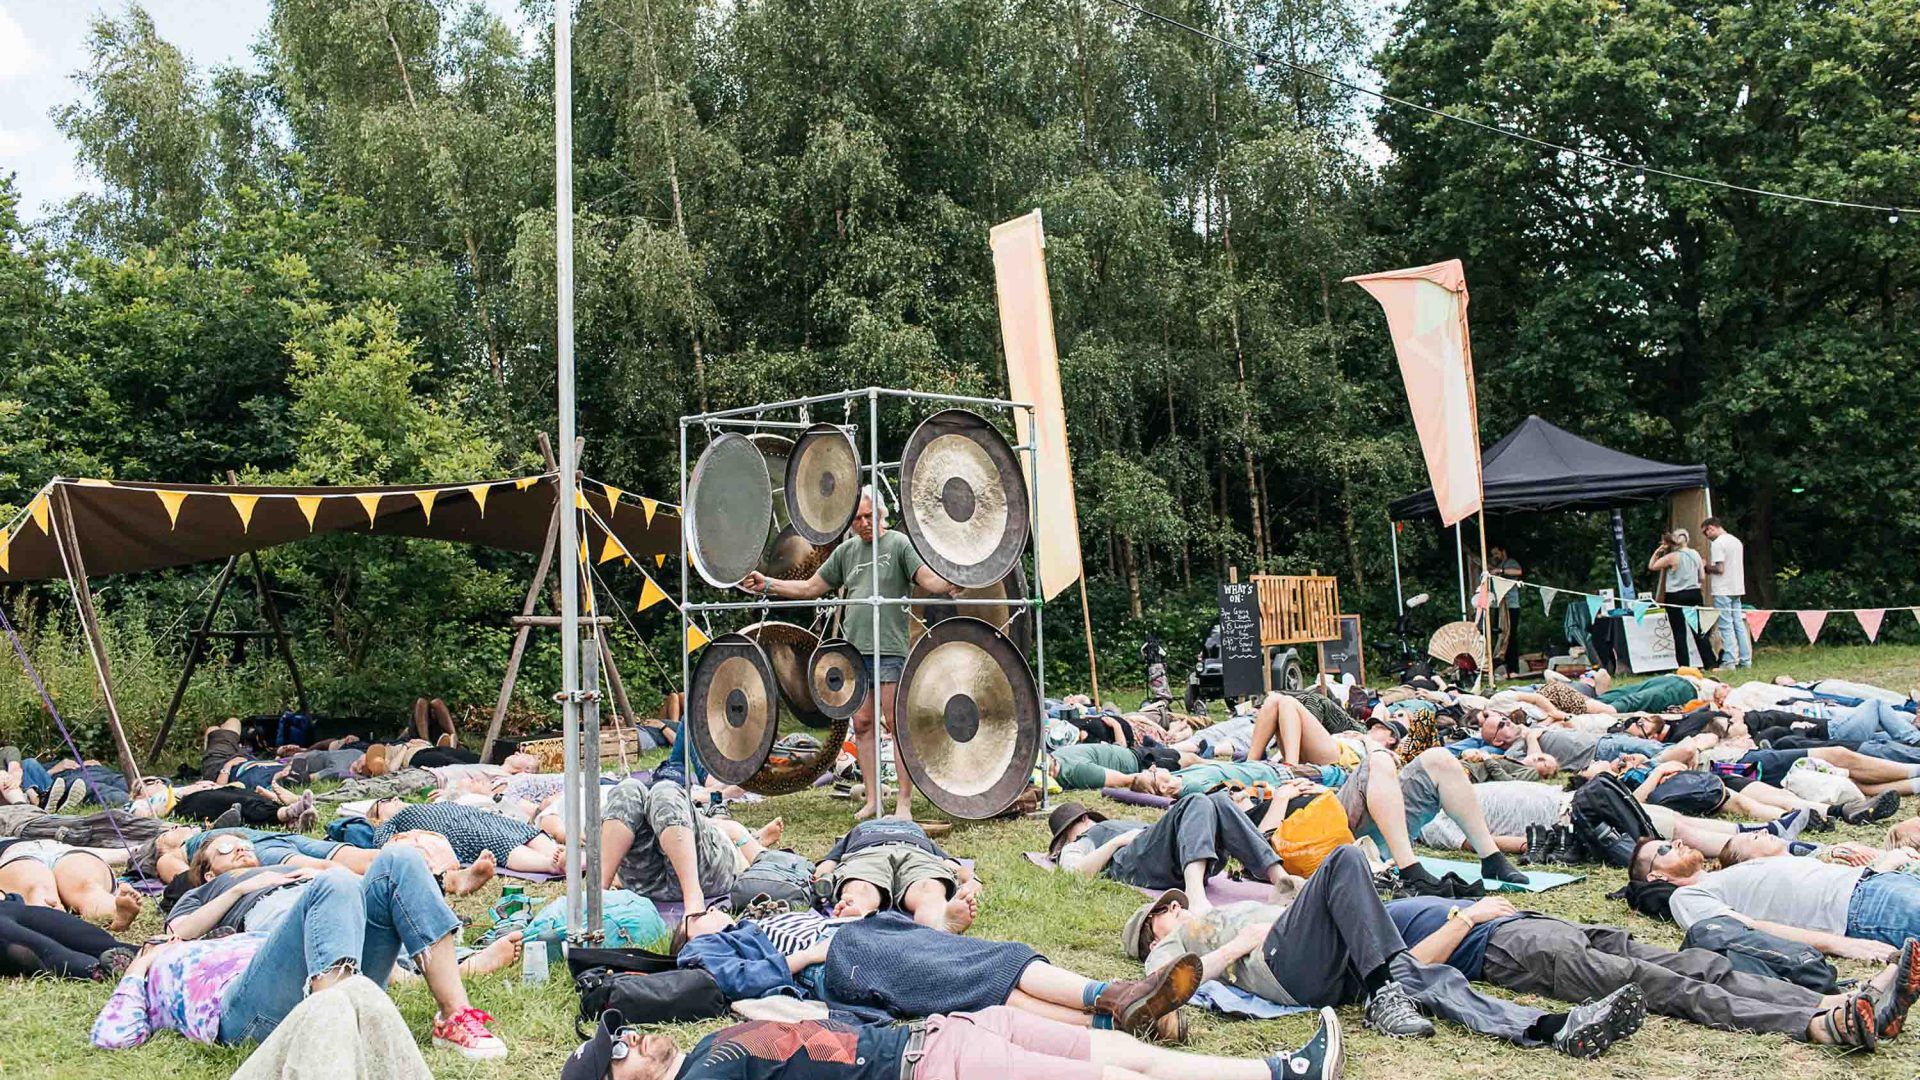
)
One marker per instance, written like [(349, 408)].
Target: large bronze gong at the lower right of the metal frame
[(969, 718)]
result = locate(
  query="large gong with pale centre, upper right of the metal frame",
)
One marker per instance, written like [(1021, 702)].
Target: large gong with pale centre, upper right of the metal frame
[(965, 501)]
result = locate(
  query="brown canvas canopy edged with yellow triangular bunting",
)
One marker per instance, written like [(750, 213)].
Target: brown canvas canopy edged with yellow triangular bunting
[(74, 529)]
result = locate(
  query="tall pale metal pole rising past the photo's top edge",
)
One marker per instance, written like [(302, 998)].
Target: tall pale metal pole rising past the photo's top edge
[(564, 258)]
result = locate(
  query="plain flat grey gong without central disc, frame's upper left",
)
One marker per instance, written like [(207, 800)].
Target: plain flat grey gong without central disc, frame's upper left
[(731, 510)]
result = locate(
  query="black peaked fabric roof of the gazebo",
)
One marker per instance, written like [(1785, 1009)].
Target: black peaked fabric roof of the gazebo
[(1539, 466)]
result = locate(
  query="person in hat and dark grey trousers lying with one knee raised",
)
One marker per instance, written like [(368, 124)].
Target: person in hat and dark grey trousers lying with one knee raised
[(1335, 945)]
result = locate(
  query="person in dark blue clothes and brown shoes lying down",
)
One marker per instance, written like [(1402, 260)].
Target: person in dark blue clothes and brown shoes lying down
[(892, 964)]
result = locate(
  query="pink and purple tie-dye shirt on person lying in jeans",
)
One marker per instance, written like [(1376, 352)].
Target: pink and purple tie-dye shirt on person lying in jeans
[(183, 991)]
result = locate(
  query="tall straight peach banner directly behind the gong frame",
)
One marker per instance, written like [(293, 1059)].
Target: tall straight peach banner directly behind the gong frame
[(1034, 376)]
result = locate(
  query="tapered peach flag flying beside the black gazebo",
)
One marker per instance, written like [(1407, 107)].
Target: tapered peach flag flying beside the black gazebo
[(1428, 318)]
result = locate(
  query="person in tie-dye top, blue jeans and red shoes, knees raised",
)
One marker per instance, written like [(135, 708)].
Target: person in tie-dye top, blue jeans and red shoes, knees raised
[(237, 989)]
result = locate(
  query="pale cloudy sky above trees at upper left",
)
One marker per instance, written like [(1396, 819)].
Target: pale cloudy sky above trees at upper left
[(45, 41)]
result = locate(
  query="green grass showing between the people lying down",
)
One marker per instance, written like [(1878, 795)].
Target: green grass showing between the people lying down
[(45, 1023)]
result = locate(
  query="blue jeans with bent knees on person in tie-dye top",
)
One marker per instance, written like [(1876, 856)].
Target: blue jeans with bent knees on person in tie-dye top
[(339, 920)]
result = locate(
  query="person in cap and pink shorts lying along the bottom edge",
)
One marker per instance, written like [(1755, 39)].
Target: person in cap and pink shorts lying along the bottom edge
[(994, 1044)]
